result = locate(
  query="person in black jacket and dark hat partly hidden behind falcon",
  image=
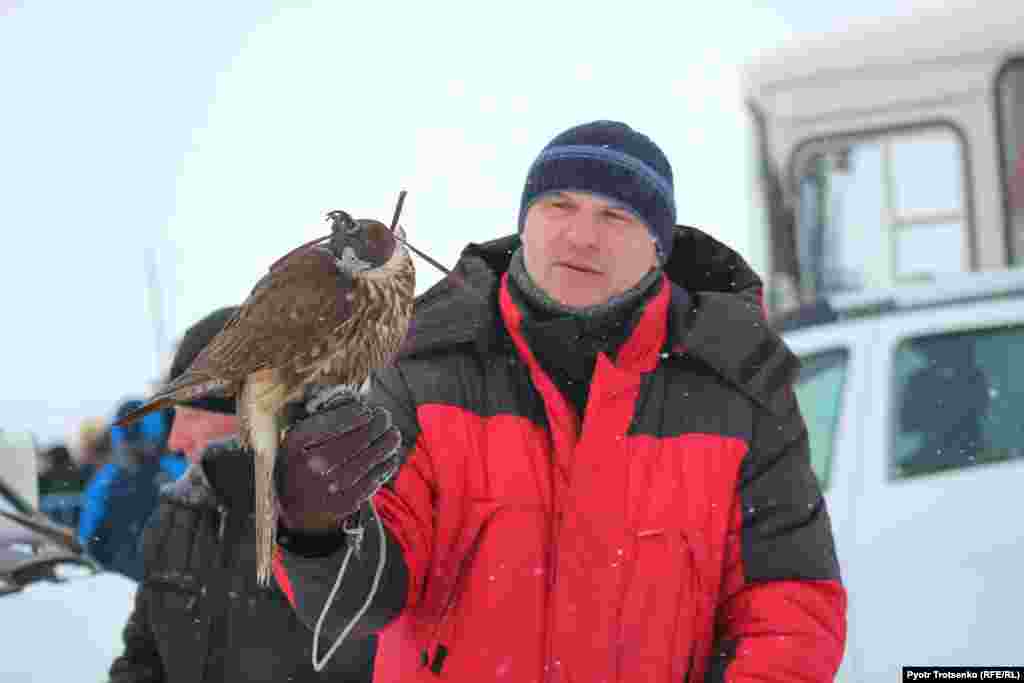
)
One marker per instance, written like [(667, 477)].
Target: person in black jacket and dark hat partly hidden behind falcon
[(200, 615)]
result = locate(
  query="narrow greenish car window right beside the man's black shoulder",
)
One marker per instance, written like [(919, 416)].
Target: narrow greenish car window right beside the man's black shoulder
[(820, 393)]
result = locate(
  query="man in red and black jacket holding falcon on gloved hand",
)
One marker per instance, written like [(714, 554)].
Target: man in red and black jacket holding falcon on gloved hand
[(598, 472)]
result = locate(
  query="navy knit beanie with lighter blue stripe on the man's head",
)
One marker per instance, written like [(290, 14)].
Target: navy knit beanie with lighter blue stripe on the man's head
[(611, 159)]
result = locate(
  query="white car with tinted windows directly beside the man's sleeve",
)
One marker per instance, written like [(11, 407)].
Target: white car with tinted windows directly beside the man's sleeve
[(915, 404)]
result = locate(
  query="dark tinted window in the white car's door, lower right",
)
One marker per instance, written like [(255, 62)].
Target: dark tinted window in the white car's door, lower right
[(959, 402)]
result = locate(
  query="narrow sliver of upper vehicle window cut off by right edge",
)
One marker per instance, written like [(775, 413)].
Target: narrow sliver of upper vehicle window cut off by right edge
[(1010, 91)]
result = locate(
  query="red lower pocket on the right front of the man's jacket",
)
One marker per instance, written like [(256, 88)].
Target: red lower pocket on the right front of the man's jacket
[(661, 593)]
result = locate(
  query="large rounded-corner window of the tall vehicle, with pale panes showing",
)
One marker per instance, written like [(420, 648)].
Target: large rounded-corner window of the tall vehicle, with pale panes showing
[(882, 210)]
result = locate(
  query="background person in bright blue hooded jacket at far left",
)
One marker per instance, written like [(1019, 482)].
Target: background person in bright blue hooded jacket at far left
[(123, 493)]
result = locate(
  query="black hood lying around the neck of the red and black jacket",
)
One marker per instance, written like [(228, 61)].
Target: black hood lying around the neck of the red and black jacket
[(717, 314)]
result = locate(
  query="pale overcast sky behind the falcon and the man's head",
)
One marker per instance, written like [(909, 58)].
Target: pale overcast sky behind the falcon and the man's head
[(218, 138)]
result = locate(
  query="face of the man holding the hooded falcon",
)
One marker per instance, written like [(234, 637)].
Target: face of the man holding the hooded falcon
[(583, 249)]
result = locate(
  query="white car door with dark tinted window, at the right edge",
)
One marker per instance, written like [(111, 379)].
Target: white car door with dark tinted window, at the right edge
[(938, 545)]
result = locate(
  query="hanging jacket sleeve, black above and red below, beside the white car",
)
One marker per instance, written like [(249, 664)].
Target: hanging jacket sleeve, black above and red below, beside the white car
[(782, 615)]
